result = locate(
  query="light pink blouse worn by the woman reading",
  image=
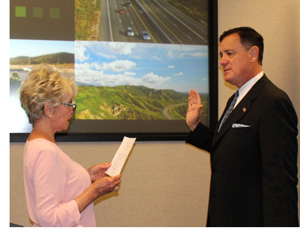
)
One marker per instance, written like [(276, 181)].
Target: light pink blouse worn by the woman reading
[(52, 182)]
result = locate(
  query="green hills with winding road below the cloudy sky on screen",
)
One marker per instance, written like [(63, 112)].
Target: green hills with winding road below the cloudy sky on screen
[(130, 103)]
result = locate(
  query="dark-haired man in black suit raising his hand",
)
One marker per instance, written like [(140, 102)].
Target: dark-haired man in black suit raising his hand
[(253, 150)]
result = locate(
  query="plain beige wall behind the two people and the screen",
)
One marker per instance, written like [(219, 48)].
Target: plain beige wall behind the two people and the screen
[(167, 183)]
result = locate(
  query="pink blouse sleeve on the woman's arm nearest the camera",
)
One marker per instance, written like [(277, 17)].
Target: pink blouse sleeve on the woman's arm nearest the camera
[(49, 178)]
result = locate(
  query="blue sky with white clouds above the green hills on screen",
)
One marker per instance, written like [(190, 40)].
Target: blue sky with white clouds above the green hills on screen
[(158, 66)]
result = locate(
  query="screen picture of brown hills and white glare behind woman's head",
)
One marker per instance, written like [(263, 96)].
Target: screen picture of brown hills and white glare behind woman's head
[(26, 54)]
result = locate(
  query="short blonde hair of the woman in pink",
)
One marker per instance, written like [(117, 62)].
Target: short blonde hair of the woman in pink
[(45, 84)]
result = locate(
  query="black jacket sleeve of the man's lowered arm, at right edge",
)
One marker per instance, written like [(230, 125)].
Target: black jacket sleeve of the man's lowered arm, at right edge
[(279, 148)]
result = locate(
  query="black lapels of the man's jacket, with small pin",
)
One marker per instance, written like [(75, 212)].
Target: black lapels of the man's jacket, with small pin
[(240, 110)]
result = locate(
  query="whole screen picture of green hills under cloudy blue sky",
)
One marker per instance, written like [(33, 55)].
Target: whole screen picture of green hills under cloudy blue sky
[(138, 82)]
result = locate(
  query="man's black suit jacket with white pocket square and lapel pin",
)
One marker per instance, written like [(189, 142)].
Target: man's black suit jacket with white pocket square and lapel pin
[(253, 161)]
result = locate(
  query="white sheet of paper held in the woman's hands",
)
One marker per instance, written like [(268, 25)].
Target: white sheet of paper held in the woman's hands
[(120, 157)]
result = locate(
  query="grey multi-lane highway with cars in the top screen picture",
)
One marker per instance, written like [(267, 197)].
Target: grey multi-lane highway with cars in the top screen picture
[(149, 21)]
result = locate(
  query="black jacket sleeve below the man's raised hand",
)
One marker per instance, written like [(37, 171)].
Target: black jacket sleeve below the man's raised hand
[(201, 137)]
